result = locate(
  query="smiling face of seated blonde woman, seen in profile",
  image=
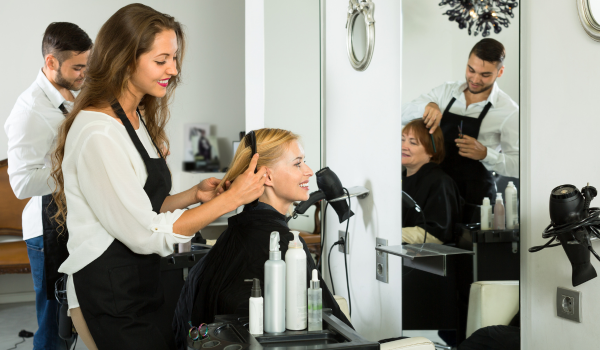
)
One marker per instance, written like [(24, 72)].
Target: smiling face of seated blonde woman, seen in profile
[(287, 179)]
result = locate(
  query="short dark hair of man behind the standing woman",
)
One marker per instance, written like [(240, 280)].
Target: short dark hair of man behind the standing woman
[(61, 38)]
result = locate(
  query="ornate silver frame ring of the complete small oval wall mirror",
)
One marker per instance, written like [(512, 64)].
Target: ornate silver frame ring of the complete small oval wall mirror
[(366, 8)]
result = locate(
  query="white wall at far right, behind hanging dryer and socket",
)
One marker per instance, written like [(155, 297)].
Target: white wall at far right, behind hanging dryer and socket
[(559, 132)]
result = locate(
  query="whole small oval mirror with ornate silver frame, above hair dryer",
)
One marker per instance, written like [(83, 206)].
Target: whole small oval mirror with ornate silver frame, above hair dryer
[(361, 33)]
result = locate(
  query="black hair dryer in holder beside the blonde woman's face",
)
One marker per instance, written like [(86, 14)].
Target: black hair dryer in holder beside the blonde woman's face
[(330, 187)]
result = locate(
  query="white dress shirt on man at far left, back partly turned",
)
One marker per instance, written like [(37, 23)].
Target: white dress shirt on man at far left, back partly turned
[(31, 128)]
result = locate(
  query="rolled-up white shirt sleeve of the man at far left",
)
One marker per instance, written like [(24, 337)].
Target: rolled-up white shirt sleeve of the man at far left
[(30, 138)]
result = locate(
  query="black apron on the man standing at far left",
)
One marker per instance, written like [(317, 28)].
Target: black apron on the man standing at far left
[(55, 244)]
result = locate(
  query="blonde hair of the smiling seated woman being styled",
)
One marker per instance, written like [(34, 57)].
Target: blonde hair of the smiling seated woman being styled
[(270, 145)]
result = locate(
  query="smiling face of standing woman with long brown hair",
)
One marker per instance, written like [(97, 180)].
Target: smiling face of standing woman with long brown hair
[(156, 66)]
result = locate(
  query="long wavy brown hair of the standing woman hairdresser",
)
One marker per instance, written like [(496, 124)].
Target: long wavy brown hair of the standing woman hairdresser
[(127, 34)]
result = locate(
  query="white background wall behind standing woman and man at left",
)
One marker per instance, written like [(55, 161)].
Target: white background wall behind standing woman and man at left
[(213, 69)]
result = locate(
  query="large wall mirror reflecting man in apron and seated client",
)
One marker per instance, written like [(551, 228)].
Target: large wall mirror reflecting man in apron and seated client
[(480, 90)]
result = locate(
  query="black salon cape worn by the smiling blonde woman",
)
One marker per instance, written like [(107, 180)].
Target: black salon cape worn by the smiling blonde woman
[(215, 285)]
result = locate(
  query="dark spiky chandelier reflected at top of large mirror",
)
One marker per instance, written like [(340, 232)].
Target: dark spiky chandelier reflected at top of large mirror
[(480, 16)]
